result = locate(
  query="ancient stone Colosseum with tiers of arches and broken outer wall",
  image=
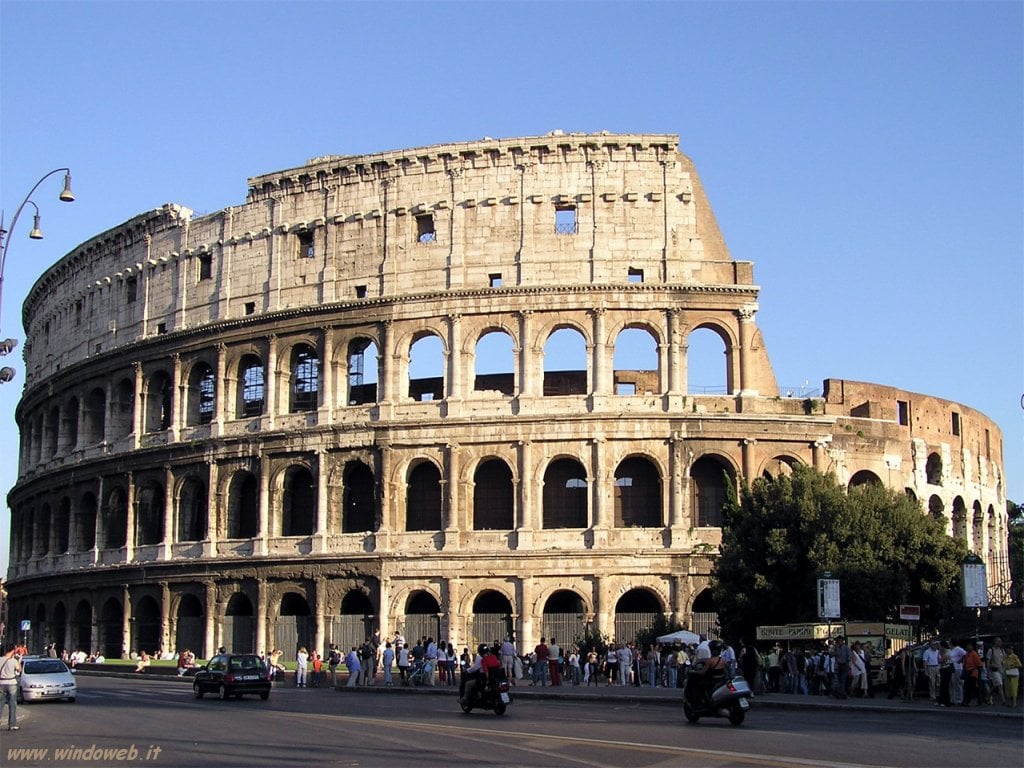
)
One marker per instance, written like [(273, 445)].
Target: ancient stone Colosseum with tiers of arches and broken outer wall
[(340, 408)]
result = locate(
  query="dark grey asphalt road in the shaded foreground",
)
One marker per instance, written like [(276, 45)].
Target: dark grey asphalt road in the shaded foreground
[(627, 729)]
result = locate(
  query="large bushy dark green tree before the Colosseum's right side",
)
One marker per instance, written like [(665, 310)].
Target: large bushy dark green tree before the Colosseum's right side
[(782, 534)]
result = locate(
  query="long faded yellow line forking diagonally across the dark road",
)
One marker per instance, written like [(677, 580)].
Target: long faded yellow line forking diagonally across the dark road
[(474, 734)]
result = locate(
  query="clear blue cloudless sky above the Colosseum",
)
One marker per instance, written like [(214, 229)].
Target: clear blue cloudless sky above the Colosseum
[(866, 156)]
